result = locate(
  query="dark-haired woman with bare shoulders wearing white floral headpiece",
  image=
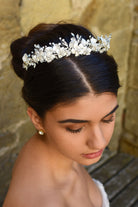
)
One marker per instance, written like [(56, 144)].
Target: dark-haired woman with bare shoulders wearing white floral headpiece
[(70, 86)]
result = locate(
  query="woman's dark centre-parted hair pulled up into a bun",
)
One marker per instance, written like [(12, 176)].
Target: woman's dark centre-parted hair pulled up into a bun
[(62, 80)]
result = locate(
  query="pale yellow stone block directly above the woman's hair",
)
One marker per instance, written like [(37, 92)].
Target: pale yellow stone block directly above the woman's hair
[(34, 12)]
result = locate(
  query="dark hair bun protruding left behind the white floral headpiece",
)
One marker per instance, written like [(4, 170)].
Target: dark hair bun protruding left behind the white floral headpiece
[(16, 48)]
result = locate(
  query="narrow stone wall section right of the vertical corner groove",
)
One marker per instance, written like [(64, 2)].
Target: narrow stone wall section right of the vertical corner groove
[(129, 137)]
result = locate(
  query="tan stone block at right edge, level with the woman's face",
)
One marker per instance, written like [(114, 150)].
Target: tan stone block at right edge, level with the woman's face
[(131, 119)]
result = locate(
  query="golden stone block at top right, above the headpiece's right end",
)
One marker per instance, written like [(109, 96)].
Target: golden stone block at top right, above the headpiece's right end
[(110, 16)]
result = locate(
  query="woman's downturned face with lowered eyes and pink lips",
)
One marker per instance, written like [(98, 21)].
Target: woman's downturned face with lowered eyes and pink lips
[(81, 131)]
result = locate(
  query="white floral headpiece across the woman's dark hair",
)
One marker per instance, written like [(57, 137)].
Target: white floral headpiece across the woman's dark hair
[(77, 46)]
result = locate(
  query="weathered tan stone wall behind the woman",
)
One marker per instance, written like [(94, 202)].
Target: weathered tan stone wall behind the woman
[(102, 17)]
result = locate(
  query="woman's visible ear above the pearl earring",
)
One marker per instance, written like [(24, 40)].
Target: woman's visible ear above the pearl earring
[(35, 118)]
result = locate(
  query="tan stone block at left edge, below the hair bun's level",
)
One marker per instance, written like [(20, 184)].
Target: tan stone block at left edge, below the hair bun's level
[(12, 107)]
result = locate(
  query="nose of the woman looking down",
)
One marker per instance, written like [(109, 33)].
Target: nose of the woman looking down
[(96, 138)]
